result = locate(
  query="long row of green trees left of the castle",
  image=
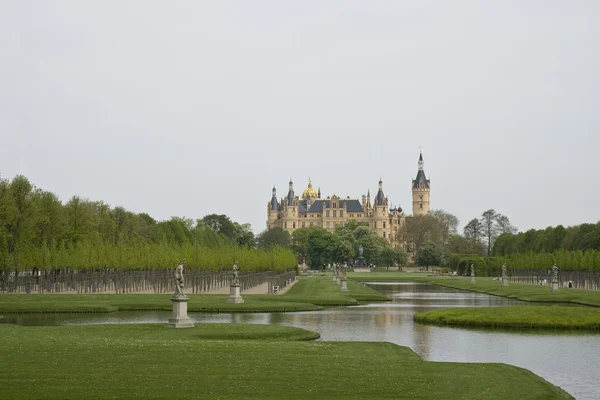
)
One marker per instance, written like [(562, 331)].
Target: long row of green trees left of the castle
[(38, 231)]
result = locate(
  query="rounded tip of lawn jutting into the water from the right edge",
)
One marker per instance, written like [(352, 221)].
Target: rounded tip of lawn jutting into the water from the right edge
[(523, 317)]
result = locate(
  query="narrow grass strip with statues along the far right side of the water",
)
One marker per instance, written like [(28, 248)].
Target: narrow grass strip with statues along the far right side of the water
[(517, 291)]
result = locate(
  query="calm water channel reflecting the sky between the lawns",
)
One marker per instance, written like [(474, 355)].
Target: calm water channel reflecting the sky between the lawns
[(569, 360)]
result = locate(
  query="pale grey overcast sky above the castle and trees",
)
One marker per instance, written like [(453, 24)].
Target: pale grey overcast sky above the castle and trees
[(187, 108)]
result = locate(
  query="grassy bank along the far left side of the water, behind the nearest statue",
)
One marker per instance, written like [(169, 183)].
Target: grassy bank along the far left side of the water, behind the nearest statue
[(308, 294)]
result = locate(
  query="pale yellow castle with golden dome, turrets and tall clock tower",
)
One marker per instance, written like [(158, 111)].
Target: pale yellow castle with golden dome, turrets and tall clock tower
[(293, 212)]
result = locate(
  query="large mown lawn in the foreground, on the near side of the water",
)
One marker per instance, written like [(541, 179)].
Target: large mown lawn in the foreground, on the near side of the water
[(151, 362)]
